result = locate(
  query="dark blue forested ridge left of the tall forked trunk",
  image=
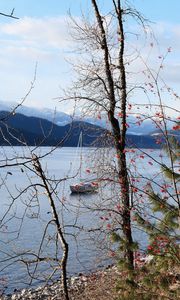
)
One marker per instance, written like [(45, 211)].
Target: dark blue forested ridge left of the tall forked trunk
[(37, 131)]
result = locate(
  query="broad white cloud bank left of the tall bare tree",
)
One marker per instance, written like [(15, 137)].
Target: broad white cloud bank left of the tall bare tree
[(22, 44)]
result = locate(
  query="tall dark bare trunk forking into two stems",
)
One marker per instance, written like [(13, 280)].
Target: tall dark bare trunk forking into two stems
[(119, 133)]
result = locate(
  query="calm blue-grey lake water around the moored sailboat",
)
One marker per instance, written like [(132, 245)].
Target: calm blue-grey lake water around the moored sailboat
[(88, 247)]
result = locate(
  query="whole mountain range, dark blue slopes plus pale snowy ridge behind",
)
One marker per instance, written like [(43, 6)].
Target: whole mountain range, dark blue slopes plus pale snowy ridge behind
[(45, 127)]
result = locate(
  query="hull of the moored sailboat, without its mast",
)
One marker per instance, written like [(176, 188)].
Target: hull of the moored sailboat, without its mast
[(84, 187)]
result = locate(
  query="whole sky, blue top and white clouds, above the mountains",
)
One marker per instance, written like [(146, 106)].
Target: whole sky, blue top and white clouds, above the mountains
[(41, 35)]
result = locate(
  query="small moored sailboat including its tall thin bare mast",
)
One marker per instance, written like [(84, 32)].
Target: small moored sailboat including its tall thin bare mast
[(84, 186)]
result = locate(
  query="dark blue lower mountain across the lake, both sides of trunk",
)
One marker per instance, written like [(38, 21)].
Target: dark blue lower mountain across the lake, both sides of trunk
[(18, 128)]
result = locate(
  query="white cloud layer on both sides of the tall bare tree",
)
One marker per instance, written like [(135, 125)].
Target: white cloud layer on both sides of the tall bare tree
[(46, 40)]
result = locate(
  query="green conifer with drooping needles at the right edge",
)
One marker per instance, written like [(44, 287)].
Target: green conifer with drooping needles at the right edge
[(162, 228)]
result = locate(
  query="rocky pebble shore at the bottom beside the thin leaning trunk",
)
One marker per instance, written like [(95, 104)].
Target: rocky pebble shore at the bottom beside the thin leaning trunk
[(78, 285)]
